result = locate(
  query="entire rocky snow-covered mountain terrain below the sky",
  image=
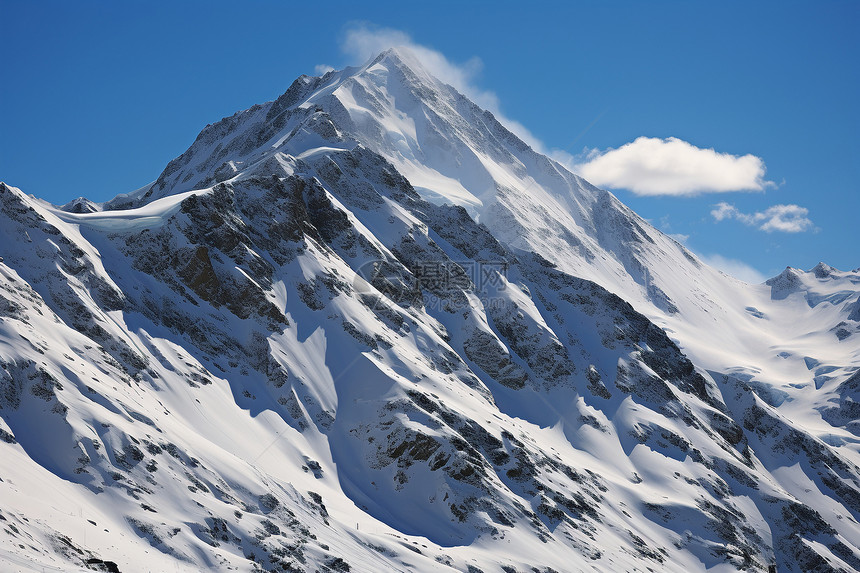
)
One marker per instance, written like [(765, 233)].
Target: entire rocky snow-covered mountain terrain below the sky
[(365, 327)]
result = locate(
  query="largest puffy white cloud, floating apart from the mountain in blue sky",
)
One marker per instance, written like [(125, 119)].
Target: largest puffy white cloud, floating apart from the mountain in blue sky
[(654, 166)]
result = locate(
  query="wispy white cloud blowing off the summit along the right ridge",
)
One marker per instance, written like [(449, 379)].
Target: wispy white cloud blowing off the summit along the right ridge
[(364, 41)]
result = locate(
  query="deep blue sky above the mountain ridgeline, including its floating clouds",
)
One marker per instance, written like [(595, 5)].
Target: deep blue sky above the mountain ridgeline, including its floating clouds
[(97, 98)]
